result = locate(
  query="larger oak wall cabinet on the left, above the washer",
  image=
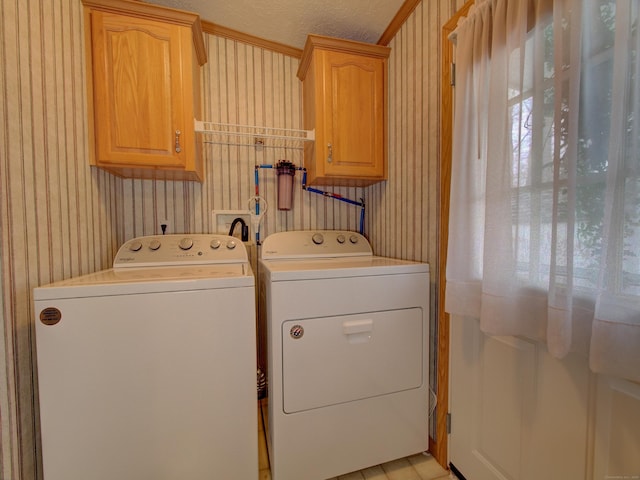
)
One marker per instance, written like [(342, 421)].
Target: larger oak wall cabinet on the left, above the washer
[(143, 83)]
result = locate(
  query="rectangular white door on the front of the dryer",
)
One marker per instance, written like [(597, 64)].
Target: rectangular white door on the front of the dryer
[(332, 360)]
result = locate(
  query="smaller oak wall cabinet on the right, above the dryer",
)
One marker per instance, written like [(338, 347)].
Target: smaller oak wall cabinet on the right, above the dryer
[(344, 86)]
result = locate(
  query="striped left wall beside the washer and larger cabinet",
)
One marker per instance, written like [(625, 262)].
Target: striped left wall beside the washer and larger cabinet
[(57, 215)]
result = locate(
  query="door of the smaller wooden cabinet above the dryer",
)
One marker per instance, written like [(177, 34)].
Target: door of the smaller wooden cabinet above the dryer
[(354, 116)]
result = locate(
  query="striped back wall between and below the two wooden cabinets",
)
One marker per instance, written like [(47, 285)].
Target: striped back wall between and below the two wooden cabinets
[(247, 85)]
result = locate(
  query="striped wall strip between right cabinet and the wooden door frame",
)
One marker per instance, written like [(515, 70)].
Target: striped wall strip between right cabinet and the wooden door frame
[(403, 219)]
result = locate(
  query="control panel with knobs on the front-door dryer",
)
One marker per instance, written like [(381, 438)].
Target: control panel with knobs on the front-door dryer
[(315, 244)]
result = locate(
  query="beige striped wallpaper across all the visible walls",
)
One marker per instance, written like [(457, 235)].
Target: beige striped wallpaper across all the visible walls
[(61, 218)]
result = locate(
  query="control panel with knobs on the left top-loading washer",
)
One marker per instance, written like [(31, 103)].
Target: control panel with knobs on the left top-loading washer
[(180, 249)]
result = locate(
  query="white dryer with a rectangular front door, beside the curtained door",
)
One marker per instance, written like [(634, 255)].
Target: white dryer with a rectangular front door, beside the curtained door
[(347, 354)]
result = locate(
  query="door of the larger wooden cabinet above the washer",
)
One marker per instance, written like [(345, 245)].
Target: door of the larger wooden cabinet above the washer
[(138, 91)]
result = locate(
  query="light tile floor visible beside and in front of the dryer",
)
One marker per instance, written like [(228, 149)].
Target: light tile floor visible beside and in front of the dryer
[(415, 467)]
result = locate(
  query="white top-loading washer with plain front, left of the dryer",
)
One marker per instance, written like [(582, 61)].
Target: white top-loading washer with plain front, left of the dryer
[(147, 371)]
